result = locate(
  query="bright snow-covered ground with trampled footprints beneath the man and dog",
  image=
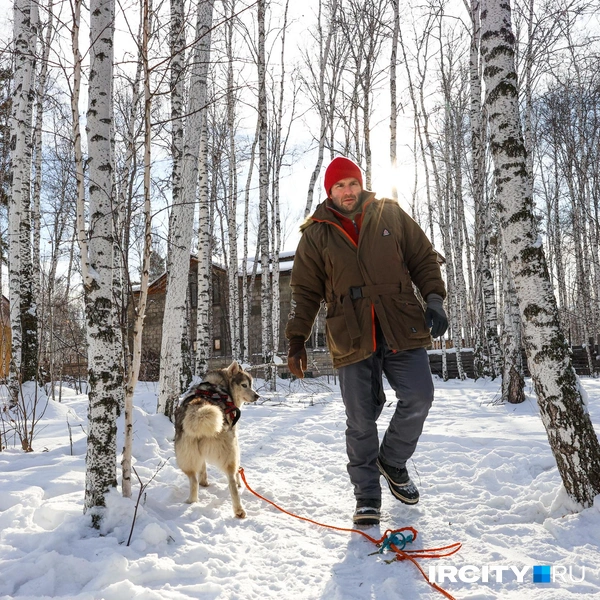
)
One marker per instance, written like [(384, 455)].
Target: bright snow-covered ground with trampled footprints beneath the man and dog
[(485, 471)]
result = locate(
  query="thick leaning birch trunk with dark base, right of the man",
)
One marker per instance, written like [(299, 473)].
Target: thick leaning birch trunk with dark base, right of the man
[(570, 432)]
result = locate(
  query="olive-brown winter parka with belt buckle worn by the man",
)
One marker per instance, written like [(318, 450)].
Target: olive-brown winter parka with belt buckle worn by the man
[(360, 281)]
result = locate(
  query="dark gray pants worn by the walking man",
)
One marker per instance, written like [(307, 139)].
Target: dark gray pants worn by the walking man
[(361, 383)]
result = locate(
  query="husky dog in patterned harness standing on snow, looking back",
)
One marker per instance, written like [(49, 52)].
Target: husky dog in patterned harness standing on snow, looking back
[(206, 431)]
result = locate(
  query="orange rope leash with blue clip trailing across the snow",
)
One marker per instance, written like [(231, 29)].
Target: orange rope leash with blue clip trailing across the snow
[(401, 554)]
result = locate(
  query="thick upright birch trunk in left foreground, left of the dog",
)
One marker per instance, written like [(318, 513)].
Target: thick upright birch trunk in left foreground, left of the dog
[(105, 369)]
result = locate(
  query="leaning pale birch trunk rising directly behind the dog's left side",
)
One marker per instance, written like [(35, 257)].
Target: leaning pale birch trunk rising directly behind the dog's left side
[(181, 219)]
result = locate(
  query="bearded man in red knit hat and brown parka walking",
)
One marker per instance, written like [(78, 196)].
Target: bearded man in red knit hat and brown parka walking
[(362, 255)]
